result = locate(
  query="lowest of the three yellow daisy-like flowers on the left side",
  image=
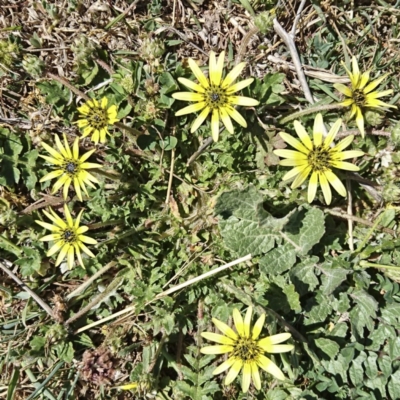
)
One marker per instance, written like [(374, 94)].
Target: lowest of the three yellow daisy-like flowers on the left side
[(68, 237)]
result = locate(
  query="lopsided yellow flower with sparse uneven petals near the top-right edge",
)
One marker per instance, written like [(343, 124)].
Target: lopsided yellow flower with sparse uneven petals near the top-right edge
[(360, 95)]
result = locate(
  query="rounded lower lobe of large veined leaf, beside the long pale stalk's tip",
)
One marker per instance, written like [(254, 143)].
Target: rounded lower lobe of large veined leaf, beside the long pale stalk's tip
[(278, 260)]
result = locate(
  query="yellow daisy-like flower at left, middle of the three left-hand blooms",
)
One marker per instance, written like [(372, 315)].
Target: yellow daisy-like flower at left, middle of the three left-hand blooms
[(71, 168)]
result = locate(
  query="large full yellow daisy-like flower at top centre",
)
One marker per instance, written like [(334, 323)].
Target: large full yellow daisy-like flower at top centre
[(215, 95)]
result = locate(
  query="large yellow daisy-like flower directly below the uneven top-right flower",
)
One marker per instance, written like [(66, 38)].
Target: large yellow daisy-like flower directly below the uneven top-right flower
[(318, 158)]
